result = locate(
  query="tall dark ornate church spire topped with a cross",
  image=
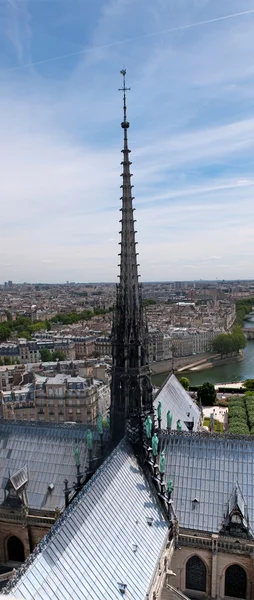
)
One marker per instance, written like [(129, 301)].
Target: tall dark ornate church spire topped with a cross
[(131, 390)]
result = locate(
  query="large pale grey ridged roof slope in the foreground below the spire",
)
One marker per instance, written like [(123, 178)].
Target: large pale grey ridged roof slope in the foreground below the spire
[(102, 540)]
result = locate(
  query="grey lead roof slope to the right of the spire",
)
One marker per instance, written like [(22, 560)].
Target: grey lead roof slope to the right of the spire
[(205, 471)]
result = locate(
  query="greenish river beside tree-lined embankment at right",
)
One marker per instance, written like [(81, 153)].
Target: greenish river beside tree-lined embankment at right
[(238, 371)]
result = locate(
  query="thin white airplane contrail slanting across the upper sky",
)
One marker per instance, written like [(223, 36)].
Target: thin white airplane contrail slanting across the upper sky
[(133, 39)]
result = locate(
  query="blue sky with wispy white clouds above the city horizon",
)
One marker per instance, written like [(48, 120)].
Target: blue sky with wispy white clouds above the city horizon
[(191, 109)]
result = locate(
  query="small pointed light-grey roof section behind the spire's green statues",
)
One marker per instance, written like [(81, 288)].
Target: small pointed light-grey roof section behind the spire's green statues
[(174, 397)]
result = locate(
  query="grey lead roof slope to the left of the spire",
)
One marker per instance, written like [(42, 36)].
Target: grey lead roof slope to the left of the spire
[(44, 454)]
